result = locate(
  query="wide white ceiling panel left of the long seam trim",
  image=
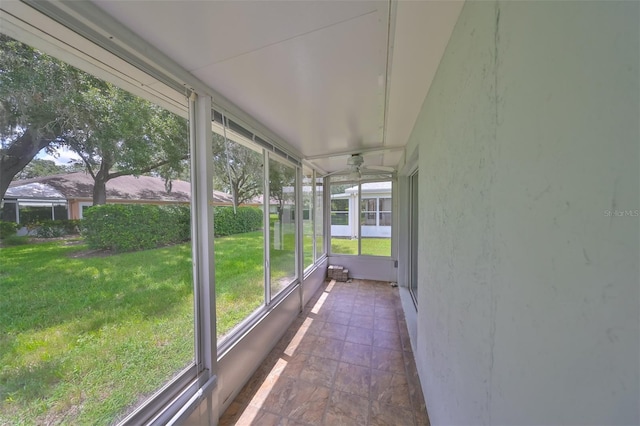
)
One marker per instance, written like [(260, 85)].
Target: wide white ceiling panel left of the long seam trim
[(313, 72)]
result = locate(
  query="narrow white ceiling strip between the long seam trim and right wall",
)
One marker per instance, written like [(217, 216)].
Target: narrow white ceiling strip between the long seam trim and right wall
[(422, 31)]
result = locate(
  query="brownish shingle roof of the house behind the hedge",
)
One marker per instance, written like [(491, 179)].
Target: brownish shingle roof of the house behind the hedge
[(80, 185)]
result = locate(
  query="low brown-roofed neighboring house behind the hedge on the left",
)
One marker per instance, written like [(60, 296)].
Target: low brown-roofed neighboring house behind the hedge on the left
[(66, 196)]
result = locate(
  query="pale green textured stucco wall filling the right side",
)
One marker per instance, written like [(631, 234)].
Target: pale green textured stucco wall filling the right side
[(529, 293)]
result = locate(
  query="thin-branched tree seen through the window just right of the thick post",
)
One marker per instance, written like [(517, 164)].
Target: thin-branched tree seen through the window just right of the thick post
[(237, 170)]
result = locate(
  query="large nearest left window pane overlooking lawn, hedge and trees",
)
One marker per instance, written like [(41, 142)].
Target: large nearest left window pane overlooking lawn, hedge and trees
[(90, 333)]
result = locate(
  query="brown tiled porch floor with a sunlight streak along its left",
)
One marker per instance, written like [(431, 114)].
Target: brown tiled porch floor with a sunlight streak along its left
[(346, 360)]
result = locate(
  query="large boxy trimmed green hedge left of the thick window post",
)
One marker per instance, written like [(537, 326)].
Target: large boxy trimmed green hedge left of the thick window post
[(128, 227)]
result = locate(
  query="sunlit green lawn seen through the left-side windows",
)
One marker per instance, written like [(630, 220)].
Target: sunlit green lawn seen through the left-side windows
[(83, 338)]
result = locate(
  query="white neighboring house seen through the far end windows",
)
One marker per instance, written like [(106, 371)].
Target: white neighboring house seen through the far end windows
[(375, 208)]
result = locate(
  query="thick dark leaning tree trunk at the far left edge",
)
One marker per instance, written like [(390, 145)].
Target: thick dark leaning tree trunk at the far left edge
[(17, 156)]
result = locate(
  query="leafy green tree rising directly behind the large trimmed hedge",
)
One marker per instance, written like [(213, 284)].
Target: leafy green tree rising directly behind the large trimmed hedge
[(126, 135)]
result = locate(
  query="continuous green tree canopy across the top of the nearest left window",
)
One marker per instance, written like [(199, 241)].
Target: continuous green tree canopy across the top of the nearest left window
[(45, 104)]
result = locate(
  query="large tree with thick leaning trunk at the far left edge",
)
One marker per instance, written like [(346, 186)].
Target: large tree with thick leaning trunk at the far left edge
[(39, 105)]
